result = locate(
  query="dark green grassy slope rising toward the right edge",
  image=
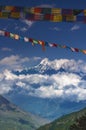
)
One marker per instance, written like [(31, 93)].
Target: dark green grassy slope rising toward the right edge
[(64, 122)]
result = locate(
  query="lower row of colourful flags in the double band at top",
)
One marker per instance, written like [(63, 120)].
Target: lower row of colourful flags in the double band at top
[(43, 17)]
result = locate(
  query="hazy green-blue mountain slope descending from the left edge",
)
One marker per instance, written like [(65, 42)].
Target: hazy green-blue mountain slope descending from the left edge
[(13, 118)]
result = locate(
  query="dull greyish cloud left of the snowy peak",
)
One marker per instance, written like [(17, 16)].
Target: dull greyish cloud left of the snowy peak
[(16, 62)]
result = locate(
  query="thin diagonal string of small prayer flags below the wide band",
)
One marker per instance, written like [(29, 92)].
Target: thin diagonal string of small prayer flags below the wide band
[(40, 42)]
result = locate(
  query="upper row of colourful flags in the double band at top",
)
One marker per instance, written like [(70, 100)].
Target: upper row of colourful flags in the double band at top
[(42, 10)]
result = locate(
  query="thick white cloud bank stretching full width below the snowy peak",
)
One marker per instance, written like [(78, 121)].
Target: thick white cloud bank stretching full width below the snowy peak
[(61, 85)]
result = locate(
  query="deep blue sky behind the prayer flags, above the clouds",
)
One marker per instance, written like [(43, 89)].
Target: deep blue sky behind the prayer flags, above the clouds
[(70, 34)]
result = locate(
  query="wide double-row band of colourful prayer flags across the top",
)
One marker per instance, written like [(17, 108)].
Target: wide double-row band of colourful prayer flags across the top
[(43, 14)]
